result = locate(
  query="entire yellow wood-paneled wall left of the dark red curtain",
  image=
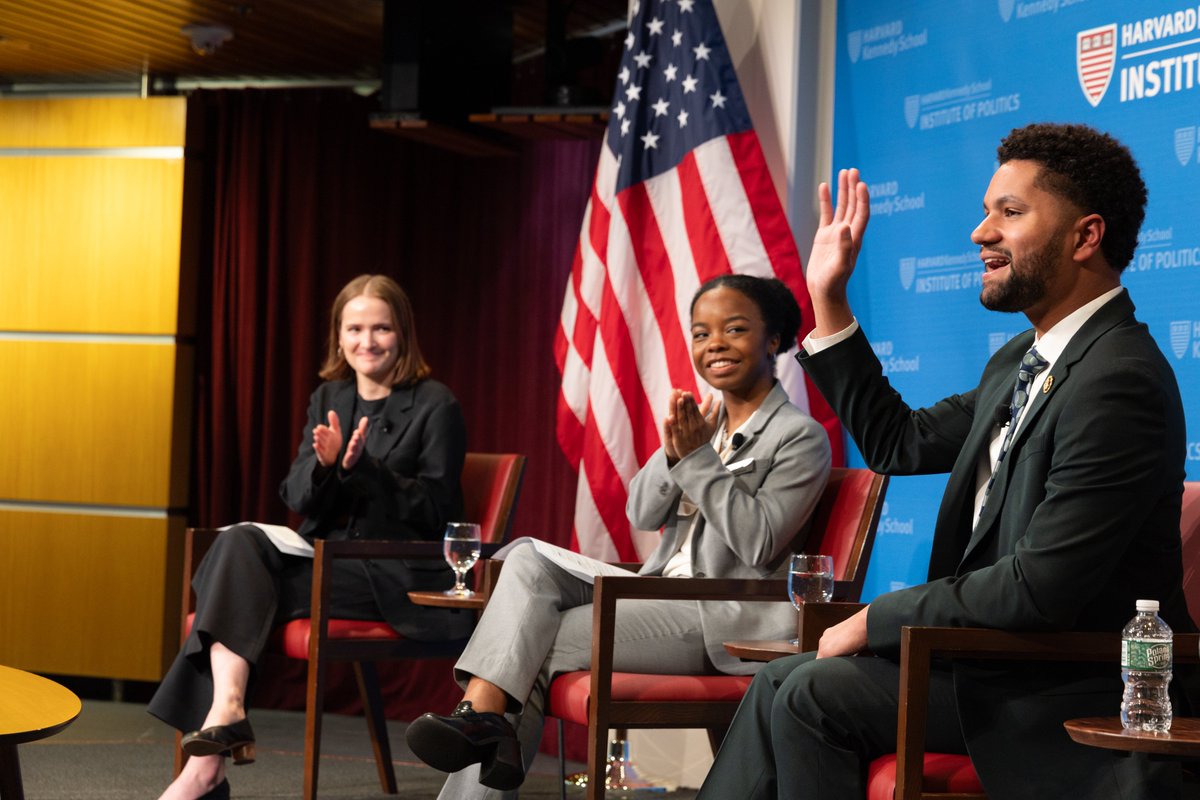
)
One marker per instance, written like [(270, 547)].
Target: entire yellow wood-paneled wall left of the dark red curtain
[(98, 399)]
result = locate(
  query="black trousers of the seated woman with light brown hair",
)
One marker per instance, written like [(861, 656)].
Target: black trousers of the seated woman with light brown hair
[(244, 590)]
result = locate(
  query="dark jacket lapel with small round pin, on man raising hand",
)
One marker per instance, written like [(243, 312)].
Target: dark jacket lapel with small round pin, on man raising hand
[(1114, 312)]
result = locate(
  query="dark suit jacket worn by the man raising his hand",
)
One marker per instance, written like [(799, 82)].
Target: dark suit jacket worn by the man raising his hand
[(1084, 515)]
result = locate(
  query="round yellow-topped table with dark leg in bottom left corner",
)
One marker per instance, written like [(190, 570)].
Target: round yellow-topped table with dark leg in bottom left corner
[(32, 708)]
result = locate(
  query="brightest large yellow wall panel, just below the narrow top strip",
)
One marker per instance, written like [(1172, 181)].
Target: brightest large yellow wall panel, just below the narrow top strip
[(91, 244)]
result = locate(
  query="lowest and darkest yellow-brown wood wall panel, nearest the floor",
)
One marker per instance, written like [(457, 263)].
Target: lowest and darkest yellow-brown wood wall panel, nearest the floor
[(89, 596)]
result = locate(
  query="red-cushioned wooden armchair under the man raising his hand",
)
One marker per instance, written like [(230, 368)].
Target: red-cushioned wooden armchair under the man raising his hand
[(913, 774)]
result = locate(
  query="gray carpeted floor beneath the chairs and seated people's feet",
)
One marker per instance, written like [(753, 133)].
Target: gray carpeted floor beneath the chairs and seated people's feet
[(118, 751)]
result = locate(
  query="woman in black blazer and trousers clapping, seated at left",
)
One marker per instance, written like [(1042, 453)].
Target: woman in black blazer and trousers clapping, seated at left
[(380, 458)]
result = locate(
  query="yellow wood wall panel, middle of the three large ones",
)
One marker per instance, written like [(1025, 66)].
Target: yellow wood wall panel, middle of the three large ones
[(92, 424)]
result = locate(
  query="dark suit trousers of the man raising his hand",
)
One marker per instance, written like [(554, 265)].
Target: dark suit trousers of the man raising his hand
[(809, 729)]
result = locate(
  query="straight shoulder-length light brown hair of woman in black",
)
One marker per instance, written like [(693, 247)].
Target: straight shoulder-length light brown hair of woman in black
[(411, 366)]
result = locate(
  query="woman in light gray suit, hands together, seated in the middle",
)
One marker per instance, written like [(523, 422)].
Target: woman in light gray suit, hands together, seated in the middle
[(734, 484)]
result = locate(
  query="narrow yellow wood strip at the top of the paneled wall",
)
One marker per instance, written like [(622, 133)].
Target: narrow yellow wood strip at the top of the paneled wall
[(93, 123)]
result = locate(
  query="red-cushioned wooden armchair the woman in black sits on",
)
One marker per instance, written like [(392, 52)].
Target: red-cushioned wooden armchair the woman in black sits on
[(490, 484)]
